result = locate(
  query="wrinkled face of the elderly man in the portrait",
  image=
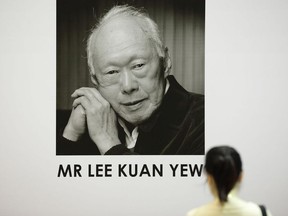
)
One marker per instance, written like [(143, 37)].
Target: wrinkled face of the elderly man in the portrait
[(128, 70)]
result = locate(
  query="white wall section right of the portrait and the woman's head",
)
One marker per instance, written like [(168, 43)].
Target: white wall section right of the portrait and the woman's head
[(246, 92)]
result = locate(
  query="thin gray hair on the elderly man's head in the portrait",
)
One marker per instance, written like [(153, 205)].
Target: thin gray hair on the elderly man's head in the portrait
[(150, 28)]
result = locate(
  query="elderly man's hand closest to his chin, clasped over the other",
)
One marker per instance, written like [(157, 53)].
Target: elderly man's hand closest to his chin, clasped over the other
[(100, 117)]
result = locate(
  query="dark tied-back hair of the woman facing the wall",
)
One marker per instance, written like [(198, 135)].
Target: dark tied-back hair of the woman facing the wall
[(224, 164)]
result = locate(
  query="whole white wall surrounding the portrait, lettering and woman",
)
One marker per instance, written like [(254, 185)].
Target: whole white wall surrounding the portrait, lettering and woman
[(246, 106)]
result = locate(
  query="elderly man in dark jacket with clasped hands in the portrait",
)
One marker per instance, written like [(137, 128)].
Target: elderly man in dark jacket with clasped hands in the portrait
[(135, 107)]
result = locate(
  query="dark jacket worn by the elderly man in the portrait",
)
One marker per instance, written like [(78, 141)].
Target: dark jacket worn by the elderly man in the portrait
[(176, 128)]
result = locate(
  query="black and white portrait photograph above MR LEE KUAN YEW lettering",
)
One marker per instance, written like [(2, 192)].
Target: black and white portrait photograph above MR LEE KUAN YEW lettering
[(130, 77)]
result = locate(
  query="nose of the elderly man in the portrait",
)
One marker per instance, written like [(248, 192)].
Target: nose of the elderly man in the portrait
[(128, 82)]
